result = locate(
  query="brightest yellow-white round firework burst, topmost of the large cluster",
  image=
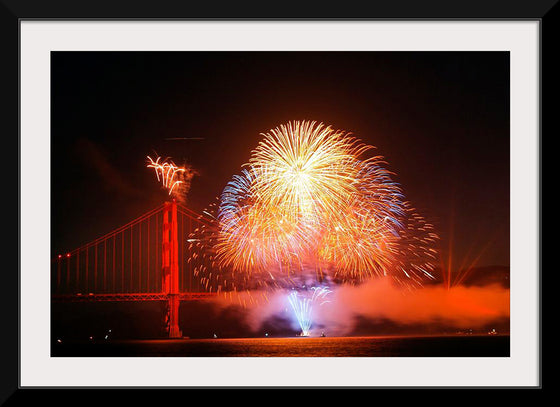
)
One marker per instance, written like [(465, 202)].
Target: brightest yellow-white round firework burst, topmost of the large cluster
[(306, 169)]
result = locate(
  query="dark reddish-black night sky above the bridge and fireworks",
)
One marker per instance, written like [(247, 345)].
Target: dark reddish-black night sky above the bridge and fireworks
[(440, 119)]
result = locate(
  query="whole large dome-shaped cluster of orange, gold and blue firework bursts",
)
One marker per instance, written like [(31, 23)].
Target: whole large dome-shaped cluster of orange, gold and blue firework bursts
[(308, 201)]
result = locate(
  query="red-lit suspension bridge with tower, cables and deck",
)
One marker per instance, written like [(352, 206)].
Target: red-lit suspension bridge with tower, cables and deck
[(144, 260)]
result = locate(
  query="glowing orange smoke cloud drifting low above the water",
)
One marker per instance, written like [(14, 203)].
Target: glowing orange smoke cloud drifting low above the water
[(379, 300)]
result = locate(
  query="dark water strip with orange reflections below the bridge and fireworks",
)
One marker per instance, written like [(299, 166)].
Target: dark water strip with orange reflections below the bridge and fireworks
[(433, 346)]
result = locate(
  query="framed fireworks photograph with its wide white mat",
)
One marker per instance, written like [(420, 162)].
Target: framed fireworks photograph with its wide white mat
[(202, 200)]
